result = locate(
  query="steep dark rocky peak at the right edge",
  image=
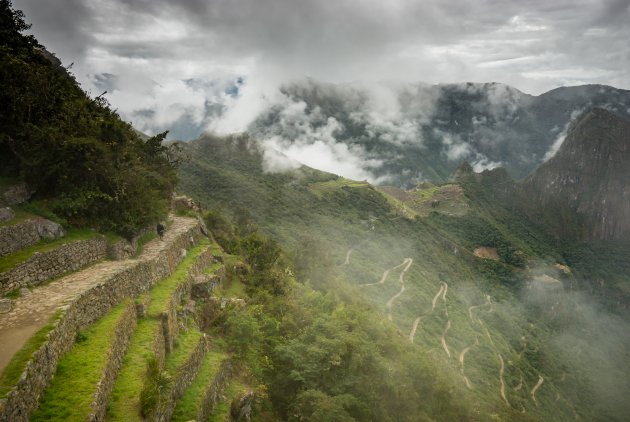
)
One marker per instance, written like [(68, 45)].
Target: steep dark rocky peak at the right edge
[(584, 190)]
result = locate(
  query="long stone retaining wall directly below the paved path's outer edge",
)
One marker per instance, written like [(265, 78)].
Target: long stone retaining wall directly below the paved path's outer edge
[(82, 312)]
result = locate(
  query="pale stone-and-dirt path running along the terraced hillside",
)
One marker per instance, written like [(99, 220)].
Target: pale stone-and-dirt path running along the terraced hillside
[(32, 311)]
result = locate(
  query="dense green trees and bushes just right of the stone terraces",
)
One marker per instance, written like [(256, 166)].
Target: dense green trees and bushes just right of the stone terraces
[(320, 358)]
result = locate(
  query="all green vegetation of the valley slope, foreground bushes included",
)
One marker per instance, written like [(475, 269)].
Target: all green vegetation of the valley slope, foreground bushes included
[(338, 236)]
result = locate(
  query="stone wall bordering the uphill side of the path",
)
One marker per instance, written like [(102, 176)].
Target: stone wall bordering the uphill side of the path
[(44, 266)]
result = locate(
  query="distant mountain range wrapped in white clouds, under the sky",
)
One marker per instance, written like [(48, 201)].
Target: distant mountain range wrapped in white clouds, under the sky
[(400, 134)]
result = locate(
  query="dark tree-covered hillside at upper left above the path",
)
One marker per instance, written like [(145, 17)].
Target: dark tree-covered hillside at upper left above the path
[(70, 148)]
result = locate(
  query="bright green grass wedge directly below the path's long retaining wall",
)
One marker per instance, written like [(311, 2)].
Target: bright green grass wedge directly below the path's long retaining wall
[(71, 391)]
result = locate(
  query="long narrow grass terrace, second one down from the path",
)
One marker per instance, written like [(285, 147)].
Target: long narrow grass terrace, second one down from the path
[(124, 403)]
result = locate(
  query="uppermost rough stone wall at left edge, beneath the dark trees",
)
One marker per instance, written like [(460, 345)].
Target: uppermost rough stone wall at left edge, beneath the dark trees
[(18, 236)]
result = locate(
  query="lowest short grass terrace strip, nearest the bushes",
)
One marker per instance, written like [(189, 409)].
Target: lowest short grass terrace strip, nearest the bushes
[(190, 402)]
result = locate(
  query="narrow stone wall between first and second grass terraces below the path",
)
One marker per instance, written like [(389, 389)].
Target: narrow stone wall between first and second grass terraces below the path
[(123, 332)]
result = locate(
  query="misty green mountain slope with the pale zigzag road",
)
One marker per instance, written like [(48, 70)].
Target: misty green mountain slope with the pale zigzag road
[(482, 293)]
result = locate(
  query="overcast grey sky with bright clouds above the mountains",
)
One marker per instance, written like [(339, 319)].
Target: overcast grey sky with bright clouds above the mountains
[(170, 62)]
